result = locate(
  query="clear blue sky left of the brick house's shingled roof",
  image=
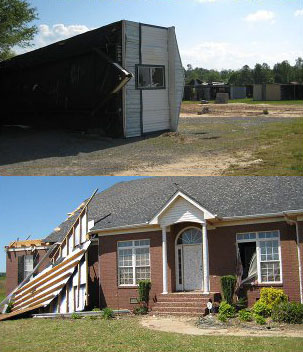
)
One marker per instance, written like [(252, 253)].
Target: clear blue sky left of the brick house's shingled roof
[(36, 205)]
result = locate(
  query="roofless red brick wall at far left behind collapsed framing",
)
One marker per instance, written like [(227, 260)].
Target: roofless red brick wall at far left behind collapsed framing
[(12, 267)]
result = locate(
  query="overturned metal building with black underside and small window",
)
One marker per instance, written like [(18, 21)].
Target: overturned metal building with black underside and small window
[(125, 78)]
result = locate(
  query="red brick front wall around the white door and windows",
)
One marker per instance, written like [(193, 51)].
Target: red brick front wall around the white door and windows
[(222, 254)]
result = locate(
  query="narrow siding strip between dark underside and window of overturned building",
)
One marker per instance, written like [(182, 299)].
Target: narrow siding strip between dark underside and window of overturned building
[(133, 102)]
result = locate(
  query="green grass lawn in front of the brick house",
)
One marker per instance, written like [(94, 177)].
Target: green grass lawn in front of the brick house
[(125, 335)]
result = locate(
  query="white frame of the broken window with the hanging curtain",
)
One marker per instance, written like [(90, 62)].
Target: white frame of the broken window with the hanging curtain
[(258, 240)]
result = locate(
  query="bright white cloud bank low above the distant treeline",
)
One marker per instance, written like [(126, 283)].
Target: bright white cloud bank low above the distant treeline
[(226, 55)]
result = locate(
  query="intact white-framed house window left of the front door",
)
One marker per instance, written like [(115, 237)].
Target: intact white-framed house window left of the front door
[(133, 262)]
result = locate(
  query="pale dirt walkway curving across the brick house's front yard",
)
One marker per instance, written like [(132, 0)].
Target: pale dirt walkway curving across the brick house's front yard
[(187, 326)]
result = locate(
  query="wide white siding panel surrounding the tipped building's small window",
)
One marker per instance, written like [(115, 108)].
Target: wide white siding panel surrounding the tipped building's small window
[(154, 51)]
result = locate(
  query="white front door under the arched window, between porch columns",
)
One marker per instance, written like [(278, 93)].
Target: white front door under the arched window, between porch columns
[(192, 267)]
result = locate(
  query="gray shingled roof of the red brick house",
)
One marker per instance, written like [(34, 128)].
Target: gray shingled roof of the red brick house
[(137, 201)]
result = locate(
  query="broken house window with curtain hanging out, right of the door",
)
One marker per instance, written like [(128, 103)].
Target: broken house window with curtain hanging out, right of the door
[(265, 246)]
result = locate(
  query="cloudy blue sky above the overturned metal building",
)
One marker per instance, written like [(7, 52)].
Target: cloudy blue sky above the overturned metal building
[(211, 33)]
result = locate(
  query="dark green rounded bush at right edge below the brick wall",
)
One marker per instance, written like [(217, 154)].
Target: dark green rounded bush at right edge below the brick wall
[(291, 313)]
